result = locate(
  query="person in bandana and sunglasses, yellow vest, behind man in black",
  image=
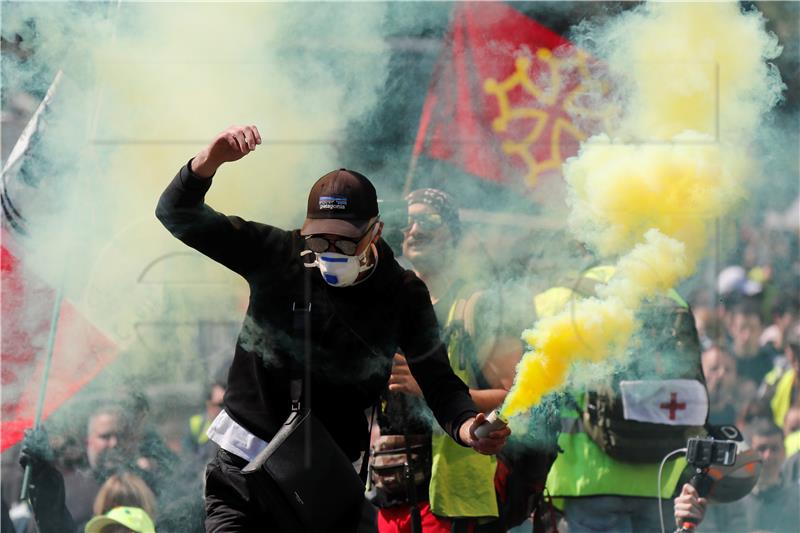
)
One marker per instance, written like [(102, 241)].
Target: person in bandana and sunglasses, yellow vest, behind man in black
[(454, 487)]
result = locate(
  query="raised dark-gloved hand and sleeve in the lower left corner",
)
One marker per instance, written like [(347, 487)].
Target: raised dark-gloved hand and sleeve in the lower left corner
[(46, 487)]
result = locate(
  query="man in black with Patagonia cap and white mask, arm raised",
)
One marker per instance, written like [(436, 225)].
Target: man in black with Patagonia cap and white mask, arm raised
[(363, 307)]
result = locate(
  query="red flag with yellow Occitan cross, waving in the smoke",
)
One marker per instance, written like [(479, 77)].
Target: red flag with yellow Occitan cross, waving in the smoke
[(509, 98)]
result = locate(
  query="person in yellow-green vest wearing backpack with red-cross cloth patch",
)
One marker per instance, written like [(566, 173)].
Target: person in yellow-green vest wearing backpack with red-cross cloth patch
[(598, 492)]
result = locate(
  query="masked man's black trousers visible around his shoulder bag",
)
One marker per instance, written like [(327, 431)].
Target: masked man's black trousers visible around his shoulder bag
[(232, 504)]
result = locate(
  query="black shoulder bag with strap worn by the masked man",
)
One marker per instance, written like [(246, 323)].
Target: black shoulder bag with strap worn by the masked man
[(302, 476)]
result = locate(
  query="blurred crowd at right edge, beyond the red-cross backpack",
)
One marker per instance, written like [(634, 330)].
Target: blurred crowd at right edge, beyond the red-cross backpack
[(751, 358)]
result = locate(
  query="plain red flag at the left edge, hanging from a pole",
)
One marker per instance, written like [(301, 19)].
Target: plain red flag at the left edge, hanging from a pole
[(80, 352)]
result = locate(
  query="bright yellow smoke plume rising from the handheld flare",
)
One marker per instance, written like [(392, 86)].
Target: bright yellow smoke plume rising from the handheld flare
[(696, 84)]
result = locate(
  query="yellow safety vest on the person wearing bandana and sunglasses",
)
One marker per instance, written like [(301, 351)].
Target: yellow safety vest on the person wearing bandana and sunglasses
[(462, 480)]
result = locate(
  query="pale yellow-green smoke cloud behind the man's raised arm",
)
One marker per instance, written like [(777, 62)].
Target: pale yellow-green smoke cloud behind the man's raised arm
[(145, 87)]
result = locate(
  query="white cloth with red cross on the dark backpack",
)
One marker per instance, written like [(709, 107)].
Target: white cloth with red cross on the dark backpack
[(677, 402)]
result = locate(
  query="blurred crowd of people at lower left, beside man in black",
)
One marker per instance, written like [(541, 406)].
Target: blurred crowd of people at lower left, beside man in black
[(120, 461)]
